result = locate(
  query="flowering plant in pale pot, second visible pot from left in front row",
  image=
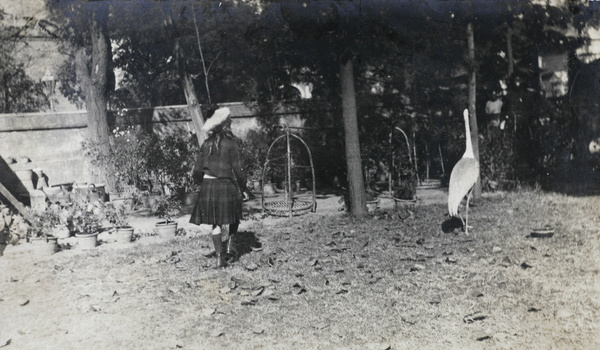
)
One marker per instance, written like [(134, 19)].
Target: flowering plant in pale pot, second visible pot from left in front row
[(86, 222)]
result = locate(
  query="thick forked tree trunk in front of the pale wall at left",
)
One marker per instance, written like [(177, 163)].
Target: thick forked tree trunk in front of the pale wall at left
[(93, 71)]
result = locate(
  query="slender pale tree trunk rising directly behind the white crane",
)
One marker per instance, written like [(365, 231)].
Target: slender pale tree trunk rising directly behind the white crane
[(472, 103)]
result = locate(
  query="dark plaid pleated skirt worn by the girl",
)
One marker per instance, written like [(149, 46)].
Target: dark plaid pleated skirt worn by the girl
[(219, 203)]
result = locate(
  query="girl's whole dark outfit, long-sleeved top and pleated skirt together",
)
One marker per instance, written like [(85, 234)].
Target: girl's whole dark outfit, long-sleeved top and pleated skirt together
[(220, 201)]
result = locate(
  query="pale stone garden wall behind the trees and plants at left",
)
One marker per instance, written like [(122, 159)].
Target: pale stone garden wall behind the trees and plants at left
[(52, 140)]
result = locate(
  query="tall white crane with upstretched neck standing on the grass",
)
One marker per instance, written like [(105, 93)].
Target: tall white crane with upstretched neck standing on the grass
[(463, 177)]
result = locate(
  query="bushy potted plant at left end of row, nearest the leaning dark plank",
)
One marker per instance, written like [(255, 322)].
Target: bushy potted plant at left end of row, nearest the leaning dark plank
[(46, 227)]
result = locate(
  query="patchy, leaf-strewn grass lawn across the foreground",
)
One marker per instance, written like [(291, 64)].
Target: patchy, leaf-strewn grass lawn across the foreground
[(393, 280)]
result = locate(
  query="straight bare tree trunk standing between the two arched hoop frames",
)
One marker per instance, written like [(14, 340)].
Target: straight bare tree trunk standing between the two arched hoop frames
[(355, 177)]
